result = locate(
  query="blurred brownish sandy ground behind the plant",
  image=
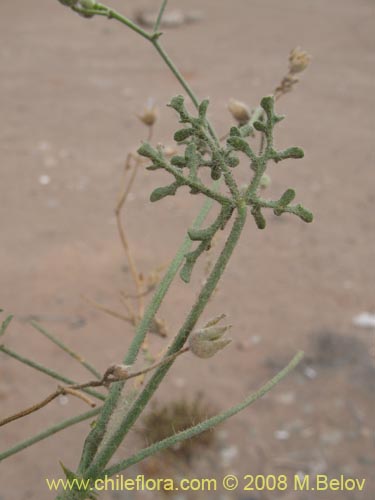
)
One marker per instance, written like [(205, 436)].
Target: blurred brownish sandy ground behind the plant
[(70, 90)]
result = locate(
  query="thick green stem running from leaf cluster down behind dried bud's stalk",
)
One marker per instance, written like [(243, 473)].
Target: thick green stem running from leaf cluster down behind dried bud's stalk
[(127, 422)]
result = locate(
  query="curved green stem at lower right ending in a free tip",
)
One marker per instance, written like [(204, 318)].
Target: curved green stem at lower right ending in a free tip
[(207, 424)]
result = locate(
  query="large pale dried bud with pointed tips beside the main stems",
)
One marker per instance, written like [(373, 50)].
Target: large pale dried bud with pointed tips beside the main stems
[(206, 342)]
